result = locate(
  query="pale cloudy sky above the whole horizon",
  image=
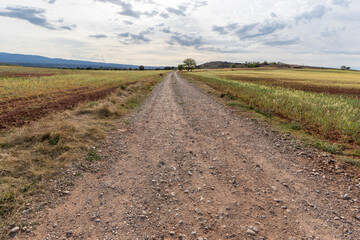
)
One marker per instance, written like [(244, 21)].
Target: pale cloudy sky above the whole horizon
[(164, 32)]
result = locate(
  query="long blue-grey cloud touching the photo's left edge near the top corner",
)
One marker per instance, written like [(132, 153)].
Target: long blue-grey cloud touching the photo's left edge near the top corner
[(34, 16)]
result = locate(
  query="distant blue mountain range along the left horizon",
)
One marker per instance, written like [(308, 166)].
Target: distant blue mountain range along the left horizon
[(39, 61)]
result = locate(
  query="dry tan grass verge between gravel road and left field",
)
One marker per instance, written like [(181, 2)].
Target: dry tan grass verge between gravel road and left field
[(32, 155)]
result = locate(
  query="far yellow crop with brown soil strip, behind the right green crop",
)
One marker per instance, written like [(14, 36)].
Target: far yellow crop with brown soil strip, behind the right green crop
[(313, 80)]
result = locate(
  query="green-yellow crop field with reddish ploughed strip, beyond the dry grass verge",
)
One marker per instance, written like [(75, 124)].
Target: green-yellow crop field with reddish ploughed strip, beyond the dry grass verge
[(28, 94)]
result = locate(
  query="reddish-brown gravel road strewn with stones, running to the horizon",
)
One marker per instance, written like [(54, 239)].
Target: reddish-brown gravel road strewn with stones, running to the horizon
[(189, 168)]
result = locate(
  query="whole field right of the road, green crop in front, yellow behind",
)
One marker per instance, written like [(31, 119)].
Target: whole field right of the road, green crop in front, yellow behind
[(323, 102)]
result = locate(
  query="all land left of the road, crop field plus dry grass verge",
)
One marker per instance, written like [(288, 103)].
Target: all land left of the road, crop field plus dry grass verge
[(32, 152)]
